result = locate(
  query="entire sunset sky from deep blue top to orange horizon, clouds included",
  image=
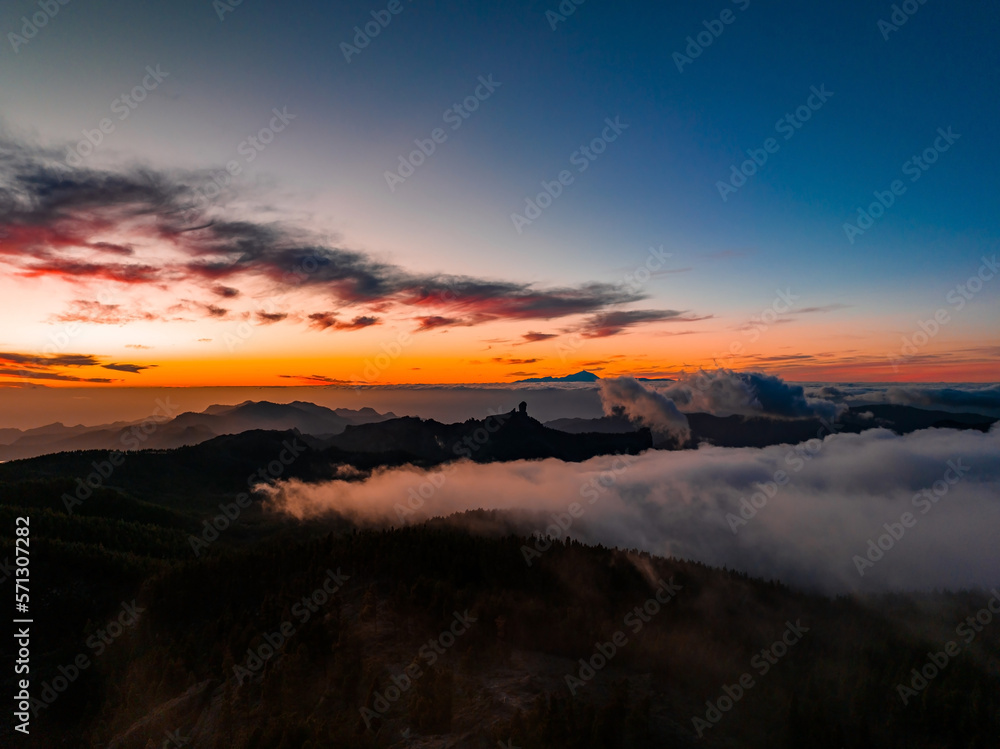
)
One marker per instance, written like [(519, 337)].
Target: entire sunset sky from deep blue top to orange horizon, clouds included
[(265, 194)]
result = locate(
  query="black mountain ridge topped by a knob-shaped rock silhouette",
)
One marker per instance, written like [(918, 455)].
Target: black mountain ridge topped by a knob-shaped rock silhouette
[(186, 476)]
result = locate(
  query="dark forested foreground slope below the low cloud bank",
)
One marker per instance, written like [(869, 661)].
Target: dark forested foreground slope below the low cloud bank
[(269, 633)]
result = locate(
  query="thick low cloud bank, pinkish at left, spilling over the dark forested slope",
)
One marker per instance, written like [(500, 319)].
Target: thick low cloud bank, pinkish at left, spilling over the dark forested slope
[(676, 503)]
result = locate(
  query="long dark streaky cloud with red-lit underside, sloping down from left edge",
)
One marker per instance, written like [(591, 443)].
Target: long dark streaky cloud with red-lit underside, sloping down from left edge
[(48, 212)]
